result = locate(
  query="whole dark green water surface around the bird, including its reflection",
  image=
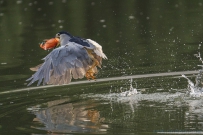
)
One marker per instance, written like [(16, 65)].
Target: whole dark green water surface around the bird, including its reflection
[(138, 37)]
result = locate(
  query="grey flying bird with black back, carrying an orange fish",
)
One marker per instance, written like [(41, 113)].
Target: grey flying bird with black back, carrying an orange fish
[(72, 57)]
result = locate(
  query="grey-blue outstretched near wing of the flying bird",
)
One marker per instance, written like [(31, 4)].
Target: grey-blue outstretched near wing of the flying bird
[(62, 64)]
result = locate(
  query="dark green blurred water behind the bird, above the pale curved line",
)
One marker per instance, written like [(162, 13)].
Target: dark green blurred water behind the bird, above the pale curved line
[(137, 36)]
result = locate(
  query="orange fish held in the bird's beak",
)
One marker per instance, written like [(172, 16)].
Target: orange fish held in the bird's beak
[(49, 43)]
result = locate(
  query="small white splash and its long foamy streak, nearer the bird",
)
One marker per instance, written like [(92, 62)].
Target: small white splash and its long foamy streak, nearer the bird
[(133, 96)]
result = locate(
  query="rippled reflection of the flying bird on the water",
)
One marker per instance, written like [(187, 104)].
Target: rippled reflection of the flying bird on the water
[(59, 116)]
